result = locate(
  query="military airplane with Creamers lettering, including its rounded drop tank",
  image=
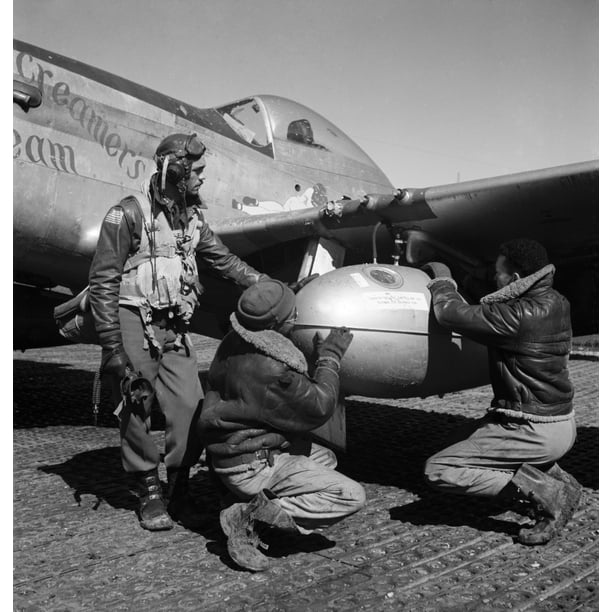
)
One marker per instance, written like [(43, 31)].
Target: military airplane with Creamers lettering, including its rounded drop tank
[(292, 194)]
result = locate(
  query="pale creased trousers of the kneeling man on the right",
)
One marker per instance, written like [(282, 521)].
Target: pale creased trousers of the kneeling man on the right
[(492, 449)]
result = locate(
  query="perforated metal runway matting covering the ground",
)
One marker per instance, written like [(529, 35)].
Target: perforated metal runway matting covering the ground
[(78, 545)]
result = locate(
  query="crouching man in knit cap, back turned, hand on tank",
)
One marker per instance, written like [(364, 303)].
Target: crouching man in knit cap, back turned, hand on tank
[(258, 411)]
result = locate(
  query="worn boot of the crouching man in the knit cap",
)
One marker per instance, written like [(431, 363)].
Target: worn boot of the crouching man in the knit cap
[(238, 524)]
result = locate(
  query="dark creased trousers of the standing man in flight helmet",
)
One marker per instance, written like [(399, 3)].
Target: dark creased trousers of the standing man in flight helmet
[(177, 391)]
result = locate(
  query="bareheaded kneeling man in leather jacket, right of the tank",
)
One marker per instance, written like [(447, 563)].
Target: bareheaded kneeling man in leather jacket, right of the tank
[(512, 452)]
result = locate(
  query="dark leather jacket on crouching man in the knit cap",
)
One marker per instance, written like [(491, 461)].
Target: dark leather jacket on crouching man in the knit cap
[(256, 401)]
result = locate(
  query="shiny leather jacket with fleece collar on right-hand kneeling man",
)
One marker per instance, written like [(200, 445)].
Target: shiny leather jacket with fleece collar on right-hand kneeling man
[(527, 329)]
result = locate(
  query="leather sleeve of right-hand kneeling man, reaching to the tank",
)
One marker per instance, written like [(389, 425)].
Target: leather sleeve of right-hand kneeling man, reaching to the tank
[(483, 322)]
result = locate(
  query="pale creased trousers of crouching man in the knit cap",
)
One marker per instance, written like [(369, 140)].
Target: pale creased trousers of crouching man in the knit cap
[(309, 487)]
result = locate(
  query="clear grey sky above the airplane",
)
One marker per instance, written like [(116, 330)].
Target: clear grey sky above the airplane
[(433, 90)]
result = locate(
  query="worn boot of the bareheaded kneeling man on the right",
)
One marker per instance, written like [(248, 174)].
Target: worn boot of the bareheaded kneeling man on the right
[(555, 501)]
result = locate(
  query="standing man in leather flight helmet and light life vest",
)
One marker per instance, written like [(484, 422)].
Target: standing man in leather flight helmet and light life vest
[(144, 289)]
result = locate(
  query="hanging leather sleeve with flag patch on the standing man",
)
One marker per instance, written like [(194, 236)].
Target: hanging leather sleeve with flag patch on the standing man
[(115, 244)]
